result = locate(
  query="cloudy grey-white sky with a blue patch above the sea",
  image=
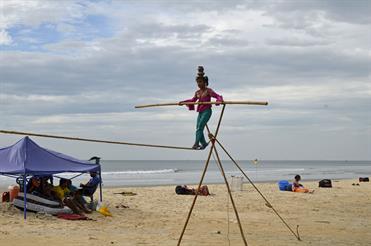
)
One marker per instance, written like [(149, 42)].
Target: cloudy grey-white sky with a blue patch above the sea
[(78, 68)]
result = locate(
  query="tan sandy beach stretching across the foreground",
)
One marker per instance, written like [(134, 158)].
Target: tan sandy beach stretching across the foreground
[(331, 216)]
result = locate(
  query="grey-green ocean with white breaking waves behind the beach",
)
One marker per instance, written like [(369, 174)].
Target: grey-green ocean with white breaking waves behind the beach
[(149, 173)]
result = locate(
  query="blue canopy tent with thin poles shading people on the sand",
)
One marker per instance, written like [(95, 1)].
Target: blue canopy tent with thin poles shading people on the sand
[(26, 158)]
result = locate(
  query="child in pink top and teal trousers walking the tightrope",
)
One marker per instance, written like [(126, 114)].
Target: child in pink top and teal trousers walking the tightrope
[(204, 94)]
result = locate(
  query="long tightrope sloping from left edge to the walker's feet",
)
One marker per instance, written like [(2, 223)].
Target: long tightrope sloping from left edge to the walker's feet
[(93, 140)]
